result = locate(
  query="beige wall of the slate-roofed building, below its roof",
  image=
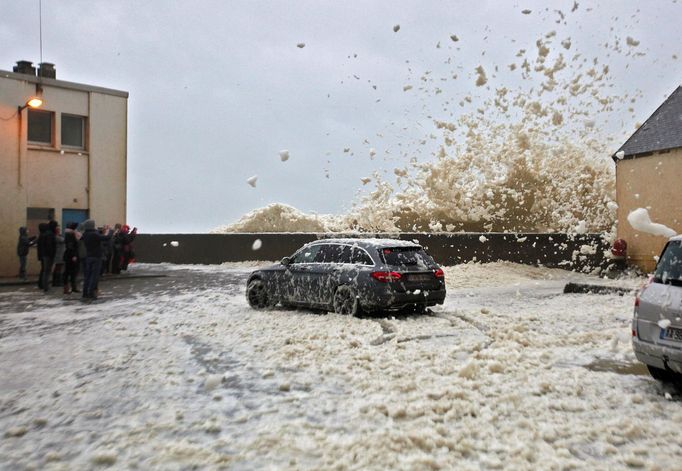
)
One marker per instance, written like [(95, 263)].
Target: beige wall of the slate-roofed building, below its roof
[(653, 182)]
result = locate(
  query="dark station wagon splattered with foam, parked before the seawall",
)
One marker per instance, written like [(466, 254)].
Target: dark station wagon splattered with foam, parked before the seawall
[(350, 276)]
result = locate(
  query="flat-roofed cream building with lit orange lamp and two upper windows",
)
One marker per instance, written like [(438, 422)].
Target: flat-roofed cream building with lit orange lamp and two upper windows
[(64, 160)]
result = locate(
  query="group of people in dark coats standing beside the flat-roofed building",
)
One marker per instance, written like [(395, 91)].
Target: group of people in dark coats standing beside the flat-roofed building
[(84, 247)]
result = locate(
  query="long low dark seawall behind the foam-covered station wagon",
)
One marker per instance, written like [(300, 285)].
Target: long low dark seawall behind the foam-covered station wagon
[(568, 251)]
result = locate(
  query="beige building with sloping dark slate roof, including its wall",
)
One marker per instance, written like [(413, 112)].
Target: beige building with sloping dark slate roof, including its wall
[(649, 175)]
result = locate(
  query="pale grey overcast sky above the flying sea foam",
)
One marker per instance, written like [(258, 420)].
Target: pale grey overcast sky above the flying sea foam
[(218, 88)]
